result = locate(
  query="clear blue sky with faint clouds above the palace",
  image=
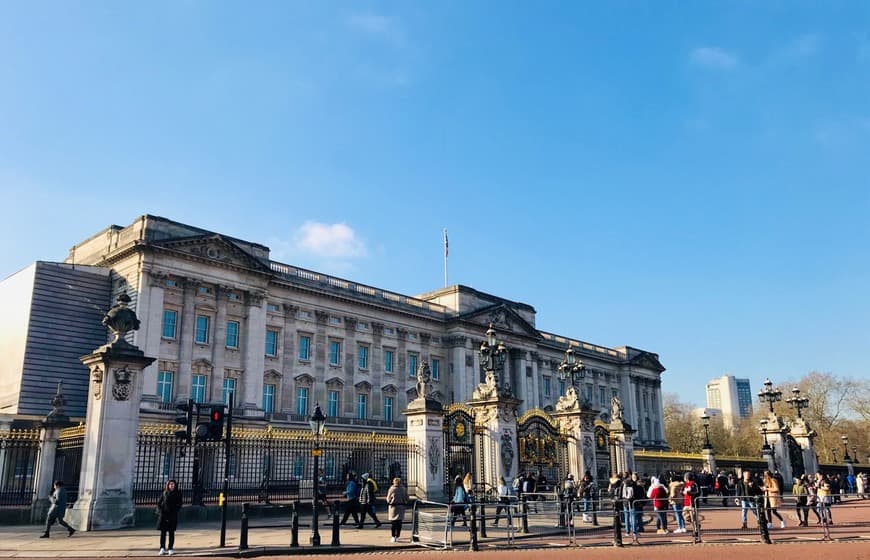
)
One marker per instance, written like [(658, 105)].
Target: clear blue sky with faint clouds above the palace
[(686, 178)]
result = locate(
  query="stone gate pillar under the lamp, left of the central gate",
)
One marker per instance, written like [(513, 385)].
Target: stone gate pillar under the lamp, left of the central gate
[(497, 418)]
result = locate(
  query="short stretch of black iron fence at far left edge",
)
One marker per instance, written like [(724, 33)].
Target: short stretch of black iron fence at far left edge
[(19, 455)]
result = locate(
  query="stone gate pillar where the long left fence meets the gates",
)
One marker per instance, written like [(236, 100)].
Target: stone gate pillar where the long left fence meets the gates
[(425, 429)]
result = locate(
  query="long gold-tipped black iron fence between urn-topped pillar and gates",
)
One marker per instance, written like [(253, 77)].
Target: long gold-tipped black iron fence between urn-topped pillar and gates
[(266, 465)]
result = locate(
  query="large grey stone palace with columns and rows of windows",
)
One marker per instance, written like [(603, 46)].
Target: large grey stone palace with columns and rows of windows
[(221, 317)]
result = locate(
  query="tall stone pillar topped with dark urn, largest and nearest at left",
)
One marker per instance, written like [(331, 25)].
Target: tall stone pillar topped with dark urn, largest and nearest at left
[(111, 428)]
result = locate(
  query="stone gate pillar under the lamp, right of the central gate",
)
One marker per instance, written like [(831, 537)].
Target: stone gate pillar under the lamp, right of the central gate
[(577, 421)]
